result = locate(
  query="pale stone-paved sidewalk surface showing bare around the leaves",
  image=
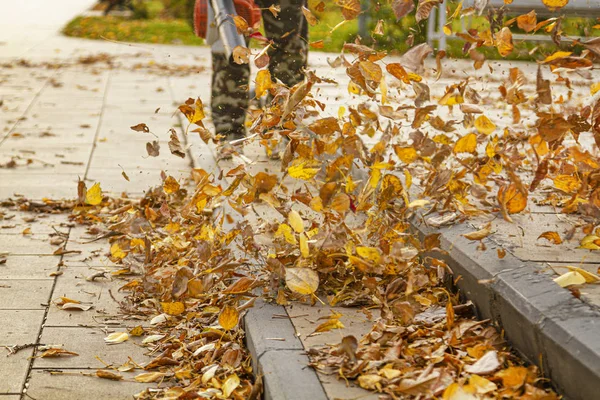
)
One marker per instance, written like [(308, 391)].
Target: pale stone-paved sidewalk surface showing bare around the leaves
[(74, 120)]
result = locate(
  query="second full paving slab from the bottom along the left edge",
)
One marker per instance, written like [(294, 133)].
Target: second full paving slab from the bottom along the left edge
[(19, 326)]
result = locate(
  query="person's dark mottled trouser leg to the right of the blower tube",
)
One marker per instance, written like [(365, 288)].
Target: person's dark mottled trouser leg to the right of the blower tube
[(289, 33)]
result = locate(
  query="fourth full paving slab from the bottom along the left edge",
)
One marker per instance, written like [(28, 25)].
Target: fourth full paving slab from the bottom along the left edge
[(28, 267)]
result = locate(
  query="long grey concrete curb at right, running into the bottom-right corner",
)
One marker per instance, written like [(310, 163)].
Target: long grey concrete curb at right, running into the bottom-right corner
[(544, 322)]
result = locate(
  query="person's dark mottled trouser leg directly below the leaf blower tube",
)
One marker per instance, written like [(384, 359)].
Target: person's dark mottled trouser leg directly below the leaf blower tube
[(229, 99)]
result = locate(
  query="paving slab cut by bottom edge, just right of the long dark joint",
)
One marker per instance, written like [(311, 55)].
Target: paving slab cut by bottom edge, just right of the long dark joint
[(43, 385)]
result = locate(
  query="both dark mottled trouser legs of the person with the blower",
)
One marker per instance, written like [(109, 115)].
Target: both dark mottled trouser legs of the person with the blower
[(289, 33)]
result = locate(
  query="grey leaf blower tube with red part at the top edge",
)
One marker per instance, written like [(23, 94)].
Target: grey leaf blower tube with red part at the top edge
[(213, 21)]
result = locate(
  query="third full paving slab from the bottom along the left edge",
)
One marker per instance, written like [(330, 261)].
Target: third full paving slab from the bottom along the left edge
[(24, 294)]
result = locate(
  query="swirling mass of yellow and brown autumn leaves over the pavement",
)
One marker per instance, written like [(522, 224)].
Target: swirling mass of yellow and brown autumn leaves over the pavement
[(339, 229)]
